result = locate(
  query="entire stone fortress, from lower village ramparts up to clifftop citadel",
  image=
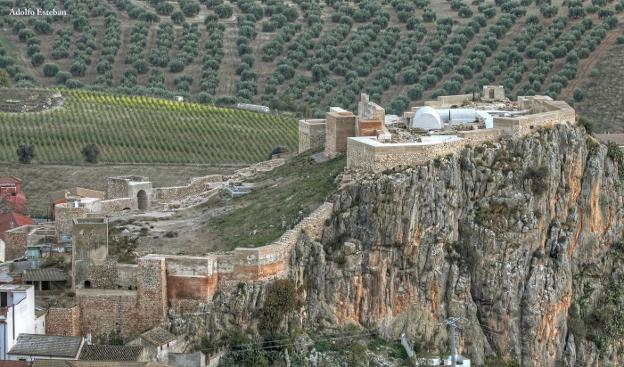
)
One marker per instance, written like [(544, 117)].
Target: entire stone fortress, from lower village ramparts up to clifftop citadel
[(132, 298)]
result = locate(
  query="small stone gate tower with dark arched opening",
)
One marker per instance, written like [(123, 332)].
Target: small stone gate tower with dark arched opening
[(138, 187)]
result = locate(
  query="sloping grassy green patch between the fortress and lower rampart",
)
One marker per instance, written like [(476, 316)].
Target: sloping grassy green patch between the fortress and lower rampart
[(281, 199)]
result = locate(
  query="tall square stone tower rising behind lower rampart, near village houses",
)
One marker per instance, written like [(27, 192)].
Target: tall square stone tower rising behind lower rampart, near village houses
[(90, 253)]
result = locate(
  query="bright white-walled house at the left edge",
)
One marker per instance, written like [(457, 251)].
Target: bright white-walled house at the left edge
[(17, 314)]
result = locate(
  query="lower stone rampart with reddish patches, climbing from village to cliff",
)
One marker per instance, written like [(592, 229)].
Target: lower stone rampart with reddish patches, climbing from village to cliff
[(172, 283)]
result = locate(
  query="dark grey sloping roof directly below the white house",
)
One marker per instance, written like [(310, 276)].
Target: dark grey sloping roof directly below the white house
[(30, 347)]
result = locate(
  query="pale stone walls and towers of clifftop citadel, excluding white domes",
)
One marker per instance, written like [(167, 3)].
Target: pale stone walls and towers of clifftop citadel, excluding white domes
[(366, 146)]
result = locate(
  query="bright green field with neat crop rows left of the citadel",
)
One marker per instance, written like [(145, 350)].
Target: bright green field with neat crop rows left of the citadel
[(144, 130)]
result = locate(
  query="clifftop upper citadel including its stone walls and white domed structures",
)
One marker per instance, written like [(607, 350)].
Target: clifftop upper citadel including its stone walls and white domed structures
[(373, 141)]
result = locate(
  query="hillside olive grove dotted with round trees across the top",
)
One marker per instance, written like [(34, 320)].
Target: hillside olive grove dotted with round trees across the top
[(306, 55)]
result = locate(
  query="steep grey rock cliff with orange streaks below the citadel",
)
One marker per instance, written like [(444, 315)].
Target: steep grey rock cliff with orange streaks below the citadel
[(522, 238)]
